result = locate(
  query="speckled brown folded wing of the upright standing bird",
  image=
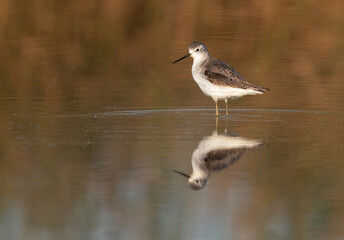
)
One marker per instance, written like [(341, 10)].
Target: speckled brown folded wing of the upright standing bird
[(220, 73)]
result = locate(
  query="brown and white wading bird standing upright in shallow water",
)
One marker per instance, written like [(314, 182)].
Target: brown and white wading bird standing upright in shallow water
[(216, 78)]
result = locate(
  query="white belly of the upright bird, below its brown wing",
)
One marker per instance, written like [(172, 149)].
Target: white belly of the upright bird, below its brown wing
[(220, 92)]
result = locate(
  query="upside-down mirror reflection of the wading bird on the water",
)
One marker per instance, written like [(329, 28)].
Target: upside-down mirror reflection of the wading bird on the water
[(214, 153)]
